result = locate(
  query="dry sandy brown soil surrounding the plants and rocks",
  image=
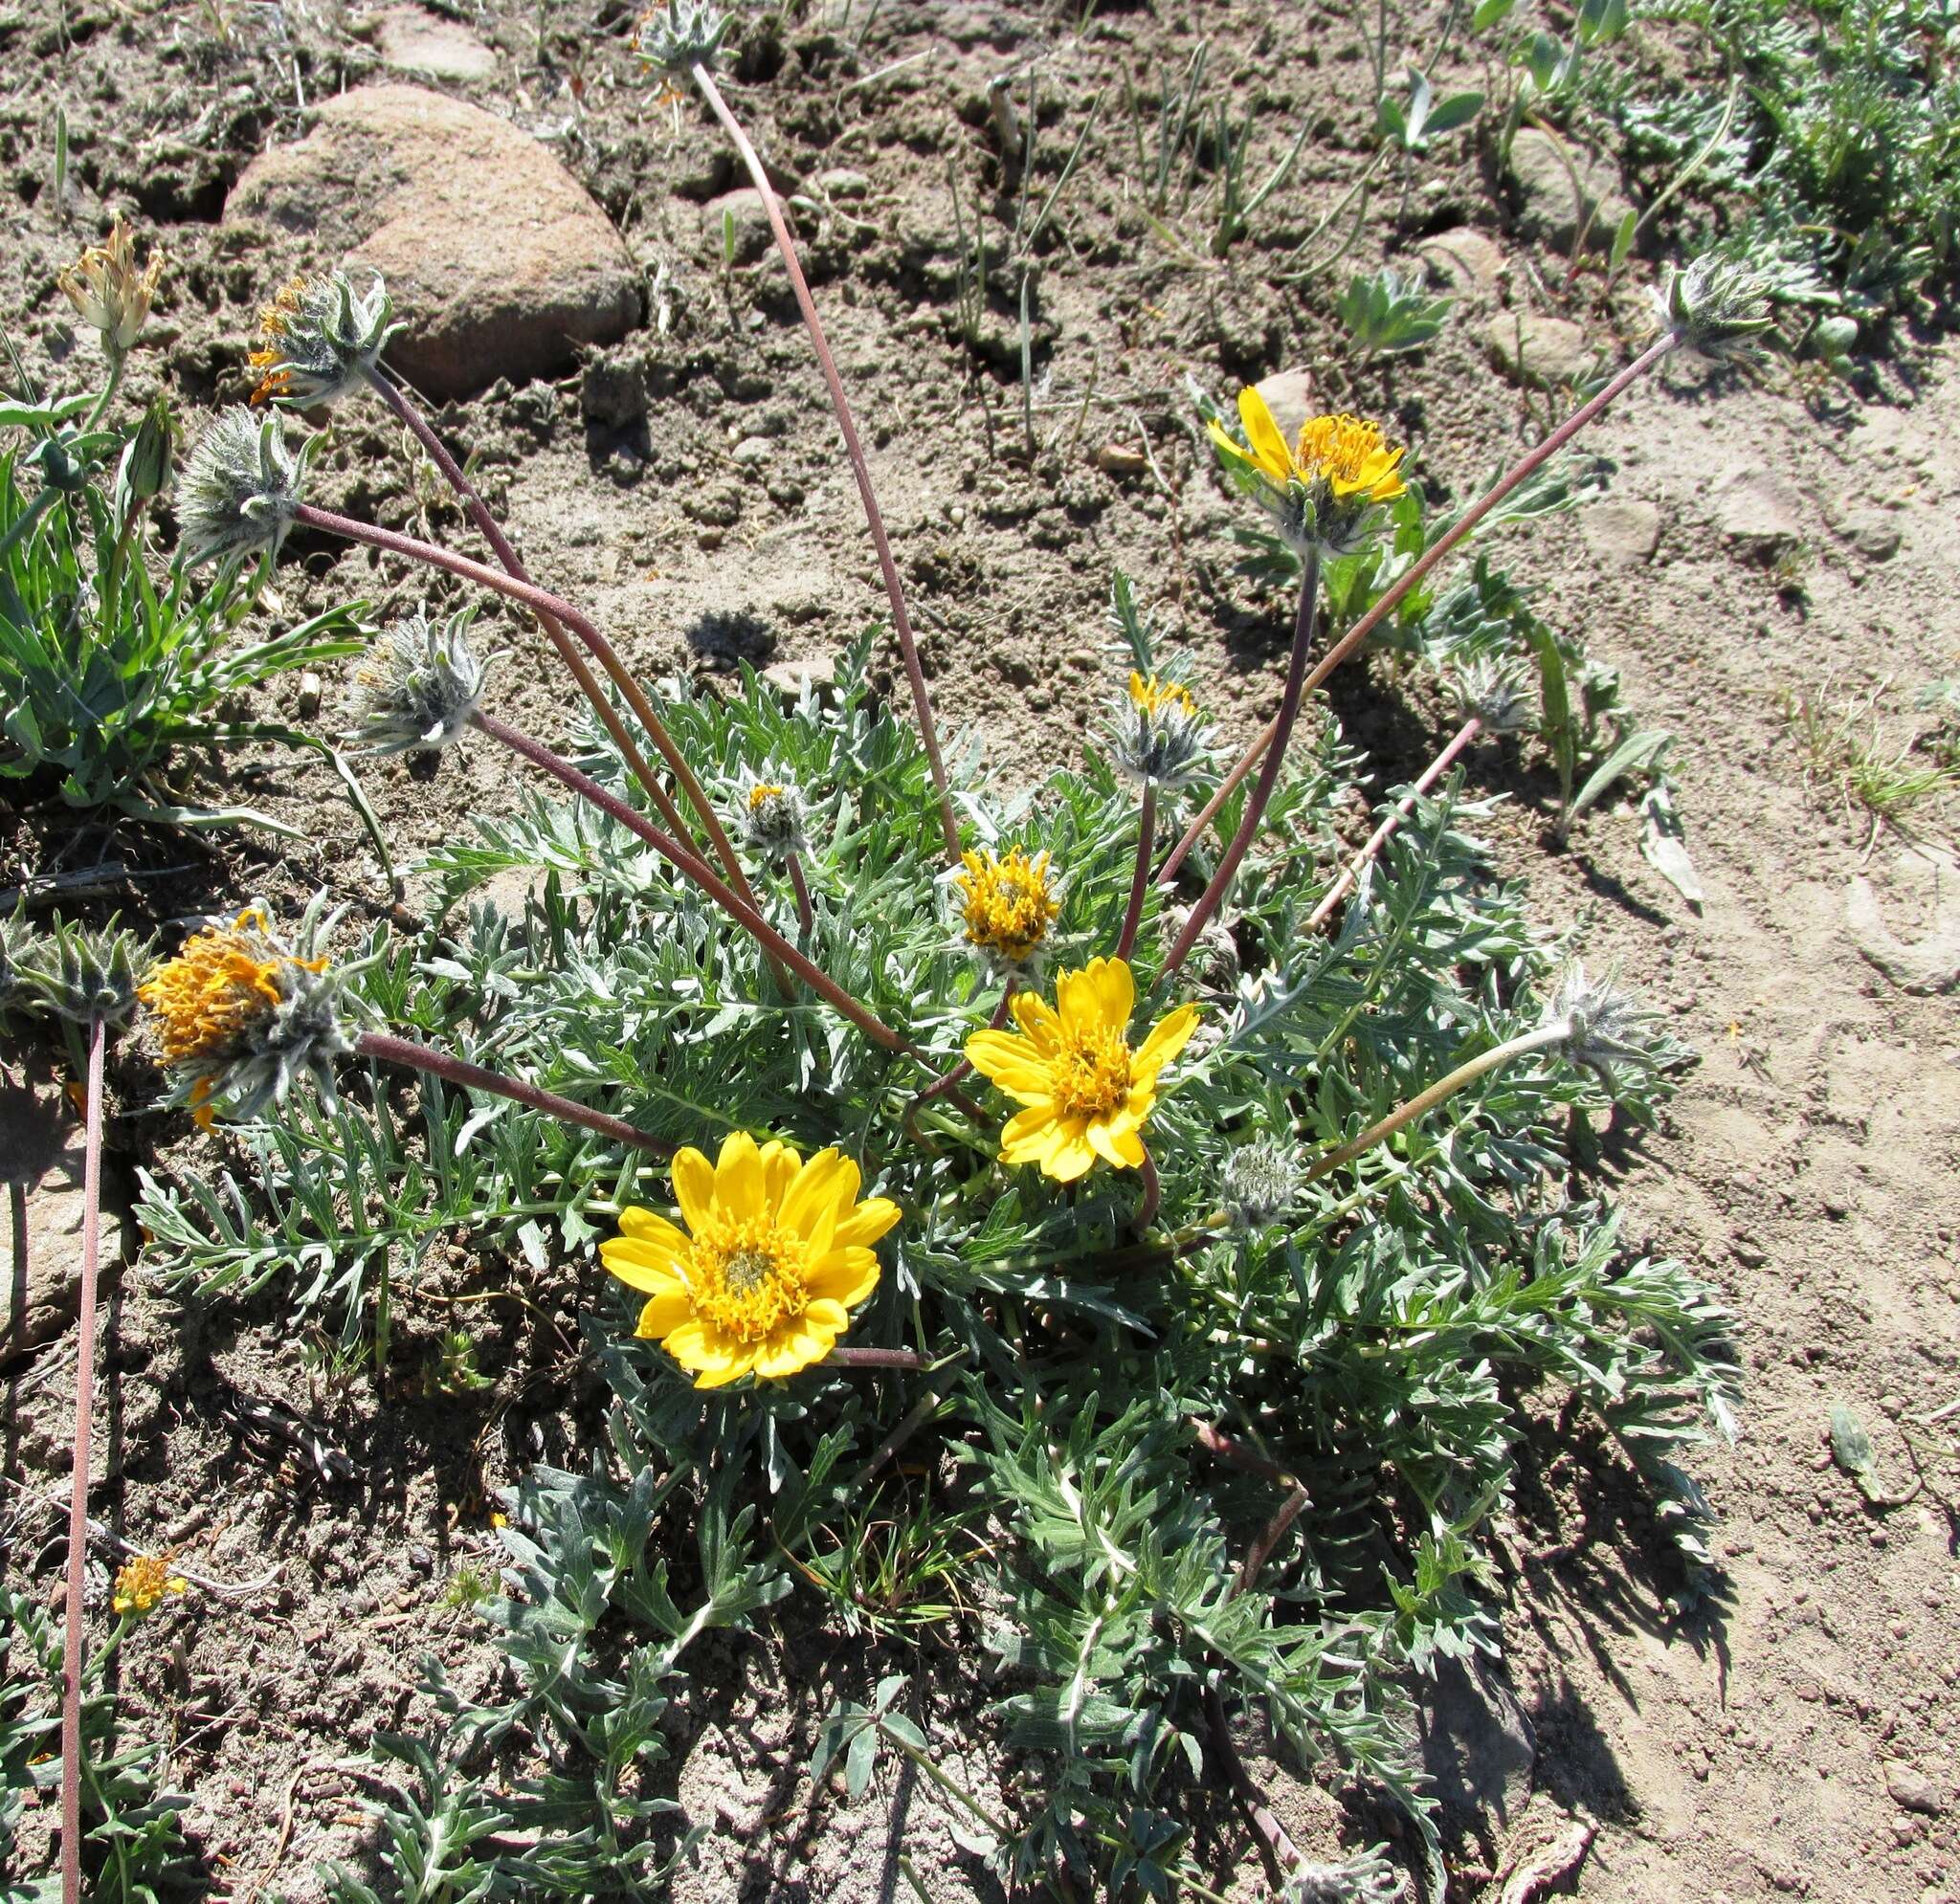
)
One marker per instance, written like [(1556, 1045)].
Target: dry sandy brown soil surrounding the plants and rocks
[(1790, 1740)]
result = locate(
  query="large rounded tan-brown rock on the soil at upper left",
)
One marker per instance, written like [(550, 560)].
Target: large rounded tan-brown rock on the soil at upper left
[(499, 260)]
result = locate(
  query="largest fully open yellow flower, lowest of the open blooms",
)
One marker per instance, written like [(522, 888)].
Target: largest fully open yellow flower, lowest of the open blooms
[(775, 1257)]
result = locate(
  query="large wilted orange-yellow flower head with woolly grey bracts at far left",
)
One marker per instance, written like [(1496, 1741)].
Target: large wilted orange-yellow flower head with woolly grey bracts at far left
[(240, 1016)]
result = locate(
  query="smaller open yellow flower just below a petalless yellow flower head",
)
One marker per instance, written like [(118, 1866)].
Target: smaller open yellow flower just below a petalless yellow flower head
[(1087, 1092)]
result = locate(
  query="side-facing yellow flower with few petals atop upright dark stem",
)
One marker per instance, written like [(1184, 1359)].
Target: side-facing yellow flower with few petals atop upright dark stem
[(1328, 489)]
